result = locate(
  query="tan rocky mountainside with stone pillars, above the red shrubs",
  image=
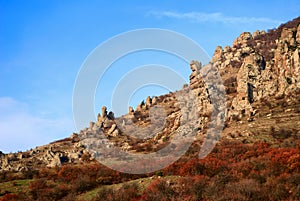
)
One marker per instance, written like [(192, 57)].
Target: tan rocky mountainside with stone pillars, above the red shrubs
[(261, 75)]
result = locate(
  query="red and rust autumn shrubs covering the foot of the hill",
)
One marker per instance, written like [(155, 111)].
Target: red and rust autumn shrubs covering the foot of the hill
[(232, 171)]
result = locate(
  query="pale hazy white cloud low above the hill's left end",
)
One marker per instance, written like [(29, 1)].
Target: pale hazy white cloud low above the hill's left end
[(21, 130)]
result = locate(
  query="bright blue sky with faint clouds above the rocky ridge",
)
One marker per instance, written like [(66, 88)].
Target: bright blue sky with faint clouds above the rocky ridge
[(44, 43)]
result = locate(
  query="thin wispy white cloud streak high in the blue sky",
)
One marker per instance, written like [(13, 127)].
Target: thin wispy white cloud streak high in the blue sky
[(213, 18)]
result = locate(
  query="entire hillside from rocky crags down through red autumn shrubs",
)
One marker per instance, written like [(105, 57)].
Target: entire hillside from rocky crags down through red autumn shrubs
[(261, 112)]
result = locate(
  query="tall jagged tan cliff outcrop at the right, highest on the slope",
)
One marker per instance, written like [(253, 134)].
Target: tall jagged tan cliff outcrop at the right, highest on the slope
[(251, 75)]
